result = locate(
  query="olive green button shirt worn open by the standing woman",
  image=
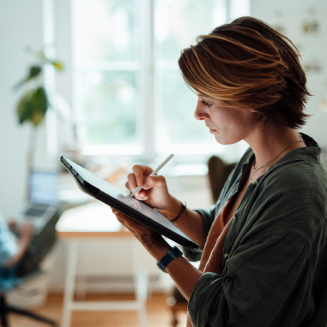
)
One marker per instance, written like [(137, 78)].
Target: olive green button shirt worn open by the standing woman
[(275, 251)]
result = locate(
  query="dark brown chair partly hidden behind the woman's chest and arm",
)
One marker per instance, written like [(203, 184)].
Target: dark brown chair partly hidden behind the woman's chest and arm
[(218, 172)]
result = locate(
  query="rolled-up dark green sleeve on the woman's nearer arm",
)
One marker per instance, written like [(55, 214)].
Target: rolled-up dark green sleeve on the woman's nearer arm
[(257, 281)]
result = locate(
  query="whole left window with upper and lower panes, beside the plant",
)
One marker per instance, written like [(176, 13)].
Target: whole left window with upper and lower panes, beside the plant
[(108, 73)]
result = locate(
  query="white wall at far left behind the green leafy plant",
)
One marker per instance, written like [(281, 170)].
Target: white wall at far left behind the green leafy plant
[(20, 26)]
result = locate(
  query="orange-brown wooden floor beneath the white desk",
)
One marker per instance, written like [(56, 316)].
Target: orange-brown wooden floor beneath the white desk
[(158, 314)]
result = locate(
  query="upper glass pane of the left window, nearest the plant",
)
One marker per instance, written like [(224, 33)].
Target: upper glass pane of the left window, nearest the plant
[(109, 30)]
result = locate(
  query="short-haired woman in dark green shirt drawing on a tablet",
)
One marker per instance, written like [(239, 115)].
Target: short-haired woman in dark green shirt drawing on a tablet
[(264, 258)]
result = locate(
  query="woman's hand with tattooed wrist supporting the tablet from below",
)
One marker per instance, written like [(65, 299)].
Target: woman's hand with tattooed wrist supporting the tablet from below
[(149, 238)]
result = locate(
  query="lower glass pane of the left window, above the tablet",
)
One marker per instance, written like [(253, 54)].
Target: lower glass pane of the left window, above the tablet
[(108, 102)]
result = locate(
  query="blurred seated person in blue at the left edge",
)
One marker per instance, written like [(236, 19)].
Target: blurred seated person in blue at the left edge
[(15, 238)]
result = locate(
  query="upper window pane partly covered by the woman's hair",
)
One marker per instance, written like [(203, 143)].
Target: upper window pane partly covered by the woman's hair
[(178, 23)]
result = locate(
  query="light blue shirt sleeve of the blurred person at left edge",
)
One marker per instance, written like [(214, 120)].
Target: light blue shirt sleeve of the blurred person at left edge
[(8, 245)]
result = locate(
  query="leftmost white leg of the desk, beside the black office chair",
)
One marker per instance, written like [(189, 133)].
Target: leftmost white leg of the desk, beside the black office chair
[(70, 282)]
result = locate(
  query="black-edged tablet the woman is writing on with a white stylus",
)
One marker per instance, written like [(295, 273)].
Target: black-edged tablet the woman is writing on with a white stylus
[(131, 207)]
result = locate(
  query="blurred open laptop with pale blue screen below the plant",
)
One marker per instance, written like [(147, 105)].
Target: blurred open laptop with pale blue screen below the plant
[(42, 203)]
